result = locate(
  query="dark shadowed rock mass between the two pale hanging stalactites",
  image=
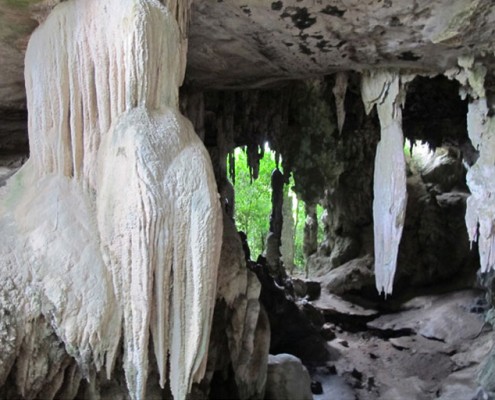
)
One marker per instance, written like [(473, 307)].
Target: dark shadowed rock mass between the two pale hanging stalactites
[(434, 245)]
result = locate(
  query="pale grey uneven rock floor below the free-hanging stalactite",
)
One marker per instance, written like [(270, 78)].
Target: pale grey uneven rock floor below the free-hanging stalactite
[(430, 349)]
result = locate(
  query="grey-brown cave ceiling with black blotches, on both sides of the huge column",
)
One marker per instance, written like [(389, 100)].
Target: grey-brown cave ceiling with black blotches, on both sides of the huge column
[(258, 43)]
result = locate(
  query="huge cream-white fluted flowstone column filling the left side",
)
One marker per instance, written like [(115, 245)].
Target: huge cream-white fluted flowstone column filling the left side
[(113, 226)]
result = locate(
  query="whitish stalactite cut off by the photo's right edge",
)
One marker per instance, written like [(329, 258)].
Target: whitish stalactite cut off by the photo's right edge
[(480, 207)]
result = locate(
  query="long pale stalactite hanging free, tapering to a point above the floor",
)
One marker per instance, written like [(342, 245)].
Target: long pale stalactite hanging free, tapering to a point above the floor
[(389, 184)]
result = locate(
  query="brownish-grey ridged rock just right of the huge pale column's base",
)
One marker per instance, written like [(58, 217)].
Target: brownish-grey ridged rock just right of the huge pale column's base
[(244, 323)]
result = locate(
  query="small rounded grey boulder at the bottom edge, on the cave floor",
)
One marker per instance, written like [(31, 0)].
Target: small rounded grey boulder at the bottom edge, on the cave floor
[(287, 379)]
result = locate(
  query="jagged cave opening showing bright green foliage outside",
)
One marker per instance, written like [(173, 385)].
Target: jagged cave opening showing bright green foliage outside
[(253, 208)]
